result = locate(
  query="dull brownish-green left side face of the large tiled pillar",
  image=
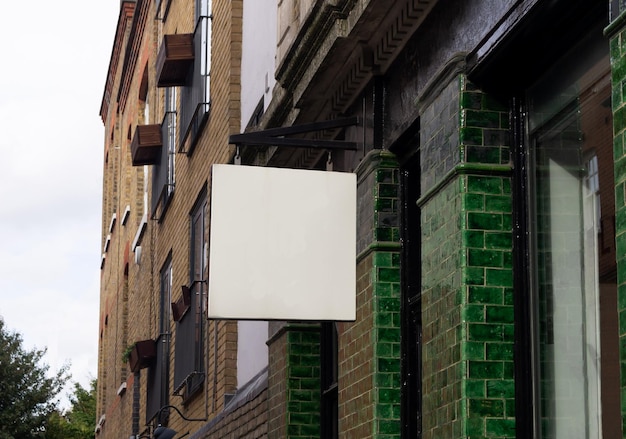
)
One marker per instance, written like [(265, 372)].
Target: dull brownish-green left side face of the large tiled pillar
[(442, 298)]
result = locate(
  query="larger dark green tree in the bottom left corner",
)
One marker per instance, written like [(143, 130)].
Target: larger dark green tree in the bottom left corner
[(28, 394)]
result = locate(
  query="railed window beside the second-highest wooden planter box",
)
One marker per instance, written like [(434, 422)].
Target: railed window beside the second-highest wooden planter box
[(163, 174)]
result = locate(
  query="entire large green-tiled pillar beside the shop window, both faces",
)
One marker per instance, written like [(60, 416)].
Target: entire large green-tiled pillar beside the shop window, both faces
[(467, 310)]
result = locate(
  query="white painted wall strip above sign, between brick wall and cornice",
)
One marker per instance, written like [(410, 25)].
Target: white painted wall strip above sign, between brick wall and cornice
[(258, 55)]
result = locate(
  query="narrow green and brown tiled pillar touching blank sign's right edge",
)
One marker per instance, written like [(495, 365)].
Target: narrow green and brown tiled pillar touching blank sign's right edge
[(369, 351)]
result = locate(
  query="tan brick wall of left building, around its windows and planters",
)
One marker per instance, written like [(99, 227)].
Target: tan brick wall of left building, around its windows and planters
[(130, 302)]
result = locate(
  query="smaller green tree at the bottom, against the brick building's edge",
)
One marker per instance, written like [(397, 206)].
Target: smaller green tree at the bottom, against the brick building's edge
[(79, 421)]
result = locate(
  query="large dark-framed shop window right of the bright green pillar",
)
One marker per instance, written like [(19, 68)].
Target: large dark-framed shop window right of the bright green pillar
[(572, 269)]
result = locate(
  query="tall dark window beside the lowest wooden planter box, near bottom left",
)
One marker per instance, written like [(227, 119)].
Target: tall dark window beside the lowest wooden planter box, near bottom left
[(158, 374)]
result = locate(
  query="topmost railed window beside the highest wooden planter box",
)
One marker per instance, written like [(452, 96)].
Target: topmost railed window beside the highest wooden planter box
[(195, 97)]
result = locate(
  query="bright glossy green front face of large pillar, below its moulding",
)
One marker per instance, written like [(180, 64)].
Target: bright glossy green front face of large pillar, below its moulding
[(487, 313)]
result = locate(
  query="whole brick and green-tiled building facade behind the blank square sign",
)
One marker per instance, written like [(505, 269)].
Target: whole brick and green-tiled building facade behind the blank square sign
[(490, 217)]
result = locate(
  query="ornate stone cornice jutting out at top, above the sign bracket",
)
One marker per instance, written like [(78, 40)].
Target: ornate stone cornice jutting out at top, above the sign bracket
[(341, 46)]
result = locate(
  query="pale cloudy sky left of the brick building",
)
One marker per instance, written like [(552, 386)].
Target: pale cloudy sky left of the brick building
[(55, 60)]
